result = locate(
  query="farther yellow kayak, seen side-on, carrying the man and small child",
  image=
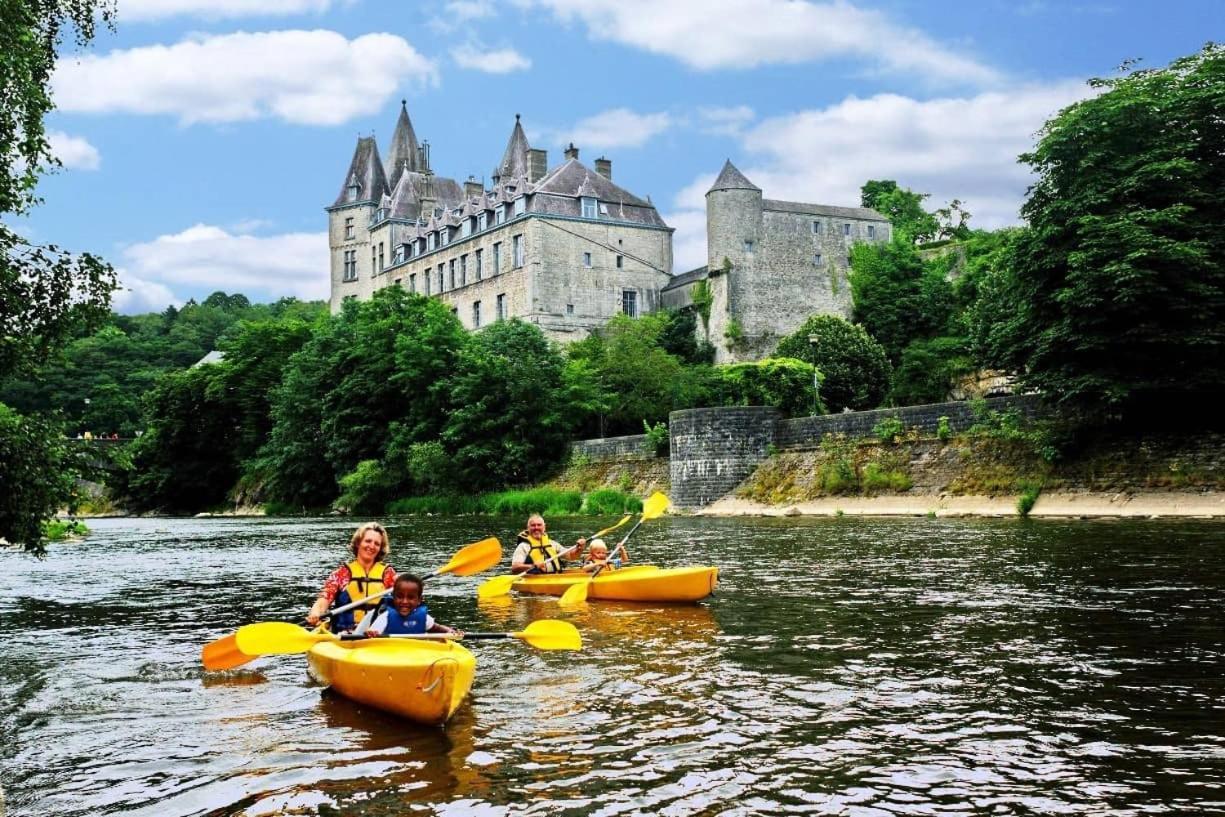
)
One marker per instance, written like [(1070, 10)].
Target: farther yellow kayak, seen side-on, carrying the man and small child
[(633, 584)]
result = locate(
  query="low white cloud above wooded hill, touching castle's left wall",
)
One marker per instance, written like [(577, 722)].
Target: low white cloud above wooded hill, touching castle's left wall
[(210, 258)]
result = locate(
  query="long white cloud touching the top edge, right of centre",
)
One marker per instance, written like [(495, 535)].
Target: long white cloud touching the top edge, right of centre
[(710, 35)]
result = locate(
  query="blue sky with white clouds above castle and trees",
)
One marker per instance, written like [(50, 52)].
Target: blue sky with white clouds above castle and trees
[(203, 139)]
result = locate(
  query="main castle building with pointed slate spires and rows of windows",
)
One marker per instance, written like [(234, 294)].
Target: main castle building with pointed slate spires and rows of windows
[(565, 249)]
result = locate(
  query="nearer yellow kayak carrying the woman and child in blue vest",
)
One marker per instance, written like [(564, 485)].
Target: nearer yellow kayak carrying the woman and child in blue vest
[(420, 680)]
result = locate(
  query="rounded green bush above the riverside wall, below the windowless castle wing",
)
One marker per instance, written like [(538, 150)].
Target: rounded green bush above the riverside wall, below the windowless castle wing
[(854, 367)]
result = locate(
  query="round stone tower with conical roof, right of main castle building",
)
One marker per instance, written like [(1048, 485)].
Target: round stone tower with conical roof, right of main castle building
[(733, 239)]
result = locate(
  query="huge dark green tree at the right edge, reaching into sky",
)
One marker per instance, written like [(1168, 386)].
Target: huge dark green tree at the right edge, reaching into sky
[(1115, 297)]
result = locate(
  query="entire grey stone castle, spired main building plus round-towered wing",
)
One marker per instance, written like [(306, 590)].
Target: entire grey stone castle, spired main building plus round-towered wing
[(568, 249)]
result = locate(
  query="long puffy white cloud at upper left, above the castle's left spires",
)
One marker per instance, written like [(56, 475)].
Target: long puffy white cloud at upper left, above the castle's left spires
[(314, 78)]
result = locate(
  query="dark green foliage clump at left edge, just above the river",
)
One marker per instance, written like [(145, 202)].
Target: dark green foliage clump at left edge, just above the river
[(39, 473)]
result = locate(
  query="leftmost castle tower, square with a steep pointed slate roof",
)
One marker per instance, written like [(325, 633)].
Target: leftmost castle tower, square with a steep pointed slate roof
[(349, 235)]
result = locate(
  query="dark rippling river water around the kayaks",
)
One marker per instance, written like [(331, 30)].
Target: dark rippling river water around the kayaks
[(846, 667)]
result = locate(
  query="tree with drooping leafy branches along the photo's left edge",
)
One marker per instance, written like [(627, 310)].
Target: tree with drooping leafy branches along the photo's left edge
[(46, 295)]
